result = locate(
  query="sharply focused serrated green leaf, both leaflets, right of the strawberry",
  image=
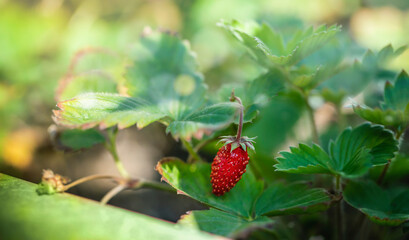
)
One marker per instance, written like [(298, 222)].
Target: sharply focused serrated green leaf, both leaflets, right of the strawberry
[(353, 153)]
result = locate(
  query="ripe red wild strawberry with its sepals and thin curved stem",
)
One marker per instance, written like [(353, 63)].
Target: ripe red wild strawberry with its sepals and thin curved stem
[(231, 160)]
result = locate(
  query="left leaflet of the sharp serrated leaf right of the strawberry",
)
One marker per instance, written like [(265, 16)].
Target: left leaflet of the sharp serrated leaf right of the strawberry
[(304, 159)]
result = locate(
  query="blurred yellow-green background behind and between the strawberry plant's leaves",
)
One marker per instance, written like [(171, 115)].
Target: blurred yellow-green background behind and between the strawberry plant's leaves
[(38, 39)]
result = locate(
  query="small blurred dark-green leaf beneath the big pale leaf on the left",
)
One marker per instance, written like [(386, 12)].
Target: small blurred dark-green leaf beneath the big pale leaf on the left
[(77, 139)]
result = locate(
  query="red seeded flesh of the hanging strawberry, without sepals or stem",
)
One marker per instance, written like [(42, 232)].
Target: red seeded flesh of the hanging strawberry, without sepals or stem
[(227, 168)]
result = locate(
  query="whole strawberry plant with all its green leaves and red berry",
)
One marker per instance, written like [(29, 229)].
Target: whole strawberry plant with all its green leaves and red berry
[(290, 179)]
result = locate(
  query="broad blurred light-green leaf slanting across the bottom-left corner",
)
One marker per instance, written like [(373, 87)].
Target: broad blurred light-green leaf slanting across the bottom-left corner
[(26, 215)]
